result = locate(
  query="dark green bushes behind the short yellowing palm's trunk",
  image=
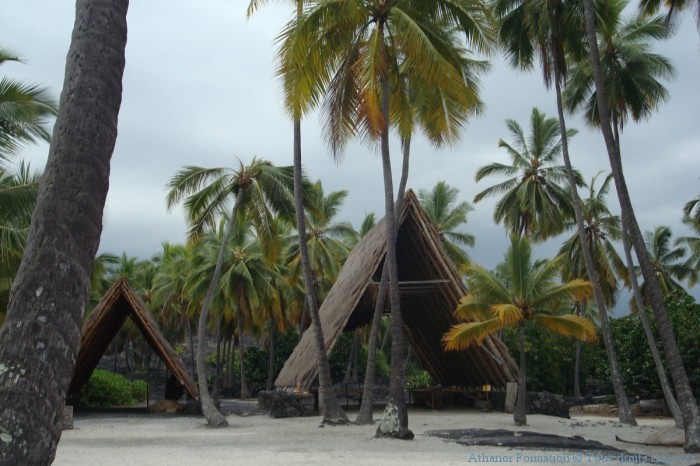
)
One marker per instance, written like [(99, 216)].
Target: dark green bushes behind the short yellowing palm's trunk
[(550, 358)]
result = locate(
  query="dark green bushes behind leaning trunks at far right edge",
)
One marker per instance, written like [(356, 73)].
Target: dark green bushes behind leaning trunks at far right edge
[(633, 353)]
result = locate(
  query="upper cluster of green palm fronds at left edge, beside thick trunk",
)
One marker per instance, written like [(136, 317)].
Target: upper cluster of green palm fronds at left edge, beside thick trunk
[(25, 111)]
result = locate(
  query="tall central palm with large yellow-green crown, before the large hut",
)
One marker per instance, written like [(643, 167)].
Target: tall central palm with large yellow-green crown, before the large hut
[(355, 48)]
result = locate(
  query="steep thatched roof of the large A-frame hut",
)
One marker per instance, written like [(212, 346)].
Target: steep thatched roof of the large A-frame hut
[(430, 291)]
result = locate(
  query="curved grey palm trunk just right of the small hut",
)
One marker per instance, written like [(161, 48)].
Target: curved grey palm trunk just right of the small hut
[(211, 413)]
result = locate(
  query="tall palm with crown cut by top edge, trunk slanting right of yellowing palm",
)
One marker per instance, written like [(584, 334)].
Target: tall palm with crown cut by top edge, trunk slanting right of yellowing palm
[(552, 30)]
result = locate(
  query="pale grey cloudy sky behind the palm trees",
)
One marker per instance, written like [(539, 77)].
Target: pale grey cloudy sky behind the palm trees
[(199, 88)]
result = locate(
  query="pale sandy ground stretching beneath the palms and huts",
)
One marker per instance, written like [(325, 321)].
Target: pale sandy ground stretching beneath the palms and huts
[(162, 439)]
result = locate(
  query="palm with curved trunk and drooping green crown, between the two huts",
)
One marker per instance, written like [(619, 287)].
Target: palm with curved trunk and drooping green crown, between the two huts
[(258, 190)]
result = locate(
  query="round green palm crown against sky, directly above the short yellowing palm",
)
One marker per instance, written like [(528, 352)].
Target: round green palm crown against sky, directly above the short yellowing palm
[(533, 202)]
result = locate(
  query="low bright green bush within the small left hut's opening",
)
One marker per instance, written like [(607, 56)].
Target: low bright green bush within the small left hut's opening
[(107, 389)]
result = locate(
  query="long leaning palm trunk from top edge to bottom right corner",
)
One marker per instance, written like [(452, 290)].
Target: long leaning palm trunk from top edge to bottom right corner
[(686, 399)]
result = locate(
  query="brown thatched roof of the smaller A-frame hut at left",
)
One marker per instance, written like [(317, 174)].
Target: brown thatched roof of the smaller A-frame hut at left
[(102, 326)]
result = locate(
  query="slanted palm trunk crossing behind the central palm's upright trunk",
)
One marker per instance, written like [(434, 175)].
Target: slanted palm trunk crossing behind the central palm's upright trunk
[(364, 416)]
